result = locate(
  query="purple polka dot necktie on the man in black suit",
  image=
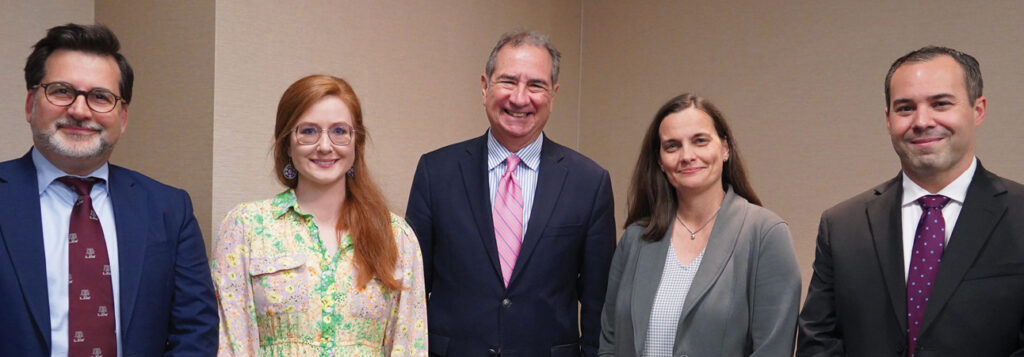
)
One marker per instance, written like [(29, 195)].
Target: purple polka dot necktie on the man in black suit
[(925, 258)]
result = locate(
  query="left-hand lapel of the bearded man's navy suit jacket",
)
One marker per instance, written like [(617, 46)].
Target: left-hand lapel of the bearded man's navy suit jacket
[(22, 236)]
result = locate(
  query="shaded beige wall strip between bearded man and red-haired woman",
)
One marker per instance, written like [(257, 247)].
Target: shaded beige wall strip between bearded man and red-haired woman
[(170, 119)]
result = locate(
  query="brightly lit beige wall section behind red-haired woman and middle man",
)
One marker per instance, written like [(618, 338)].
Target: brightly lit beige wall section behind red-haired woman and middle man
[(415, 67)]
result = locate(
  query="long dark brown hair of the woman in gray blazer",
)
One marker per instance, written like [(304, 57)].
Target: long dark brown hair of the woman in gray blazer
[(652, 198)]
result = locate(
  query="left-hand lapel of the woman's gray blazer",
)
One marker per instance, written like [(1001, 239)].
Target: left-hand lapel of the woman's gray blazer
[(651, 265)]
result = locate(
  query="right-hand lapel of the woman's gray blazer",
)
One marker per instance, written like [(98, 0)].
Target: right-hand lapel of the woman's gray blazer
[(722, 243)]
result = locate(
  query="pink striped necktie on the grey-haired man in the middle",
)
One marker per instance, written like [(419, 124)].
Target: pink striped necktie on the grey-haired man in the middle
[(508, 218)]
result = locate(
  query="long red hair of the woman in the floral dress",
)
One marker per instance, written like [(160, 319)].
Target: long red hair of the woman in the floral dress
[(365, 214)]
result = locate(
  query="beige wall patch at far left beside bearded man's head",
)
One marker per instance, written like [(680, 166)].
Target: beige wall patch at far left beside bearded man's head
[(22, 25)]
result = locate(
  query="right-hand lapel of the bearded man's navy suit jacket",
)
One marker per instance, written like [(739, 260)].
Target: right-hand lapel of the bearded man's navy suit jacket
[(132, 221)]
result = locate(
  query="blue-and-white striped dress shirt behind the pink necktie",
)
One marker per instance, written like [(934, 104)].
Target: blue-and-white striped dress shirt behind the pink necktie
[(526, 174)]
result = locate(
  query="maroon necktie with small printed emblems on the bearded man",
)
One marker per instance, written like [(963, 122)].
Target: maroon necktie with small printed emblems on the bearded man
[(91, 295)]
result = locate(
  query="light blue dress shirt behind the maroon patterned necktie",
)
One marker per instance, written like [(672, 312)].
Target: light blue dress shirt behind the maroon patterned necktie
[(56, 202)]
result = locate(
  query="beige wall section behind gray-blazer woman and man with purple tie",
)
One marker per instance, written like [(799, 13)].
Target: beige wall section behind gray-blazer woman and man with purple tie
[(800, 83)]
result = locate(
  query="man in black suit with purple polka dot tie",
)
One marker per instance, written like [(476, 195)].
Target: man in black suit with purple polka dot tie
[(930, 263)]
